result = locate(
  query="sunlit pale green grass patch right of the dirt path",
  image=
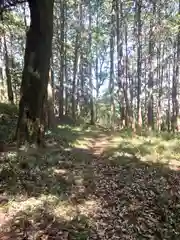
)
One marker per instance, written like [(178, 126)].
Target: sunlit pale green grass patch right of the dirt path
[(147, 149)]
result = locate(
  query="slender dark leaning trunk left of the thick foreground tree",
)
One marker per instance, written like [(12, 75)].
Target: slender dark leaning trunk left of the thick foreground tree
[(8, 74)]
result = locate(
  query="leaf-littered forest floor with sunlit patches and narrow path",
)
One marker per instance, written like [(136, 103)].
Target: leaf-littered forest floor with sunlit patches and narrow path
[(92, 184)]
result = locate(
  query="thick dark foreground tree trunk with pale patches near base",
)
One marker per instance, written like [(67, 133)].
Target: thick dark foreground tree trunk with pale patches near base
[(31, 122)]
